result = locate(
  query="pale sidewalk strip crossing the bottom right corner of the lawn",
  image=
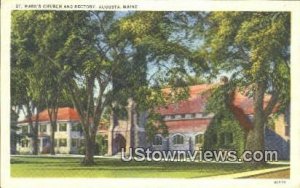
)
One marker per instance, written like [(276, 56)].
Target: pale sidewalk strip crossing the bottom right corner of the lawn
[(247, 174)]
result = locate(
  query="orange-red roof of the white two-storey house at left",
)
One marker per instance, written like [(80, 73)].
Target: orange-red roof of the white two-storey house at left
[(63, 114)]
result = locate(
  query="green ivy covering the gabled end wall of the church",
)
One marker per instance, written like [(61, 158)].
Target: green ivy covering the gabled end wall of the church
[(223, 122)]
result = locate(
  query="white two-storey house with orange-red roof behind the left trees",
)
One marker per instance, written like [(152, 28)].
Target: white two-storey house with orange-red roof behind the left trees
[(68, 134)]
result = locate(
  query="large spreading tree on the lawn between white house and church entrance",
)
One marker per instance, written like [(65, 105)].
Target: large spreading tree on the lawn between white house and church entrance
[(107, 61)]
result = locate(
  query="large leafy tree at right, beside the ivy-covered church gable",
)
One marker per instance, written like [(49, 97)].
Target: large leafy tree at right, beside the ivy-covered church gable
[(253, 48)]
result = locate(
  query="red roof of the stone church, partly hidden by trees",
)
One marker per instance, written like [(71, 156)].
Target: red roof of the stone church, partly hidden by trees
[(242, 106)]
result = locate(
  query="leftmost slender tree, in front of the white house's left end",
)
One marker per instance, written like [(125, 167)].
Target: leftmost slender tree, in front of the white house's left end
[(25, 94)]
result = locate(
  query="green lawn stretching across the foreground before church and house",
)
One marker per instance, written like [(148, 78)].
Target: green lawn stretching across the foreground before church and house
[(115, 168)]
